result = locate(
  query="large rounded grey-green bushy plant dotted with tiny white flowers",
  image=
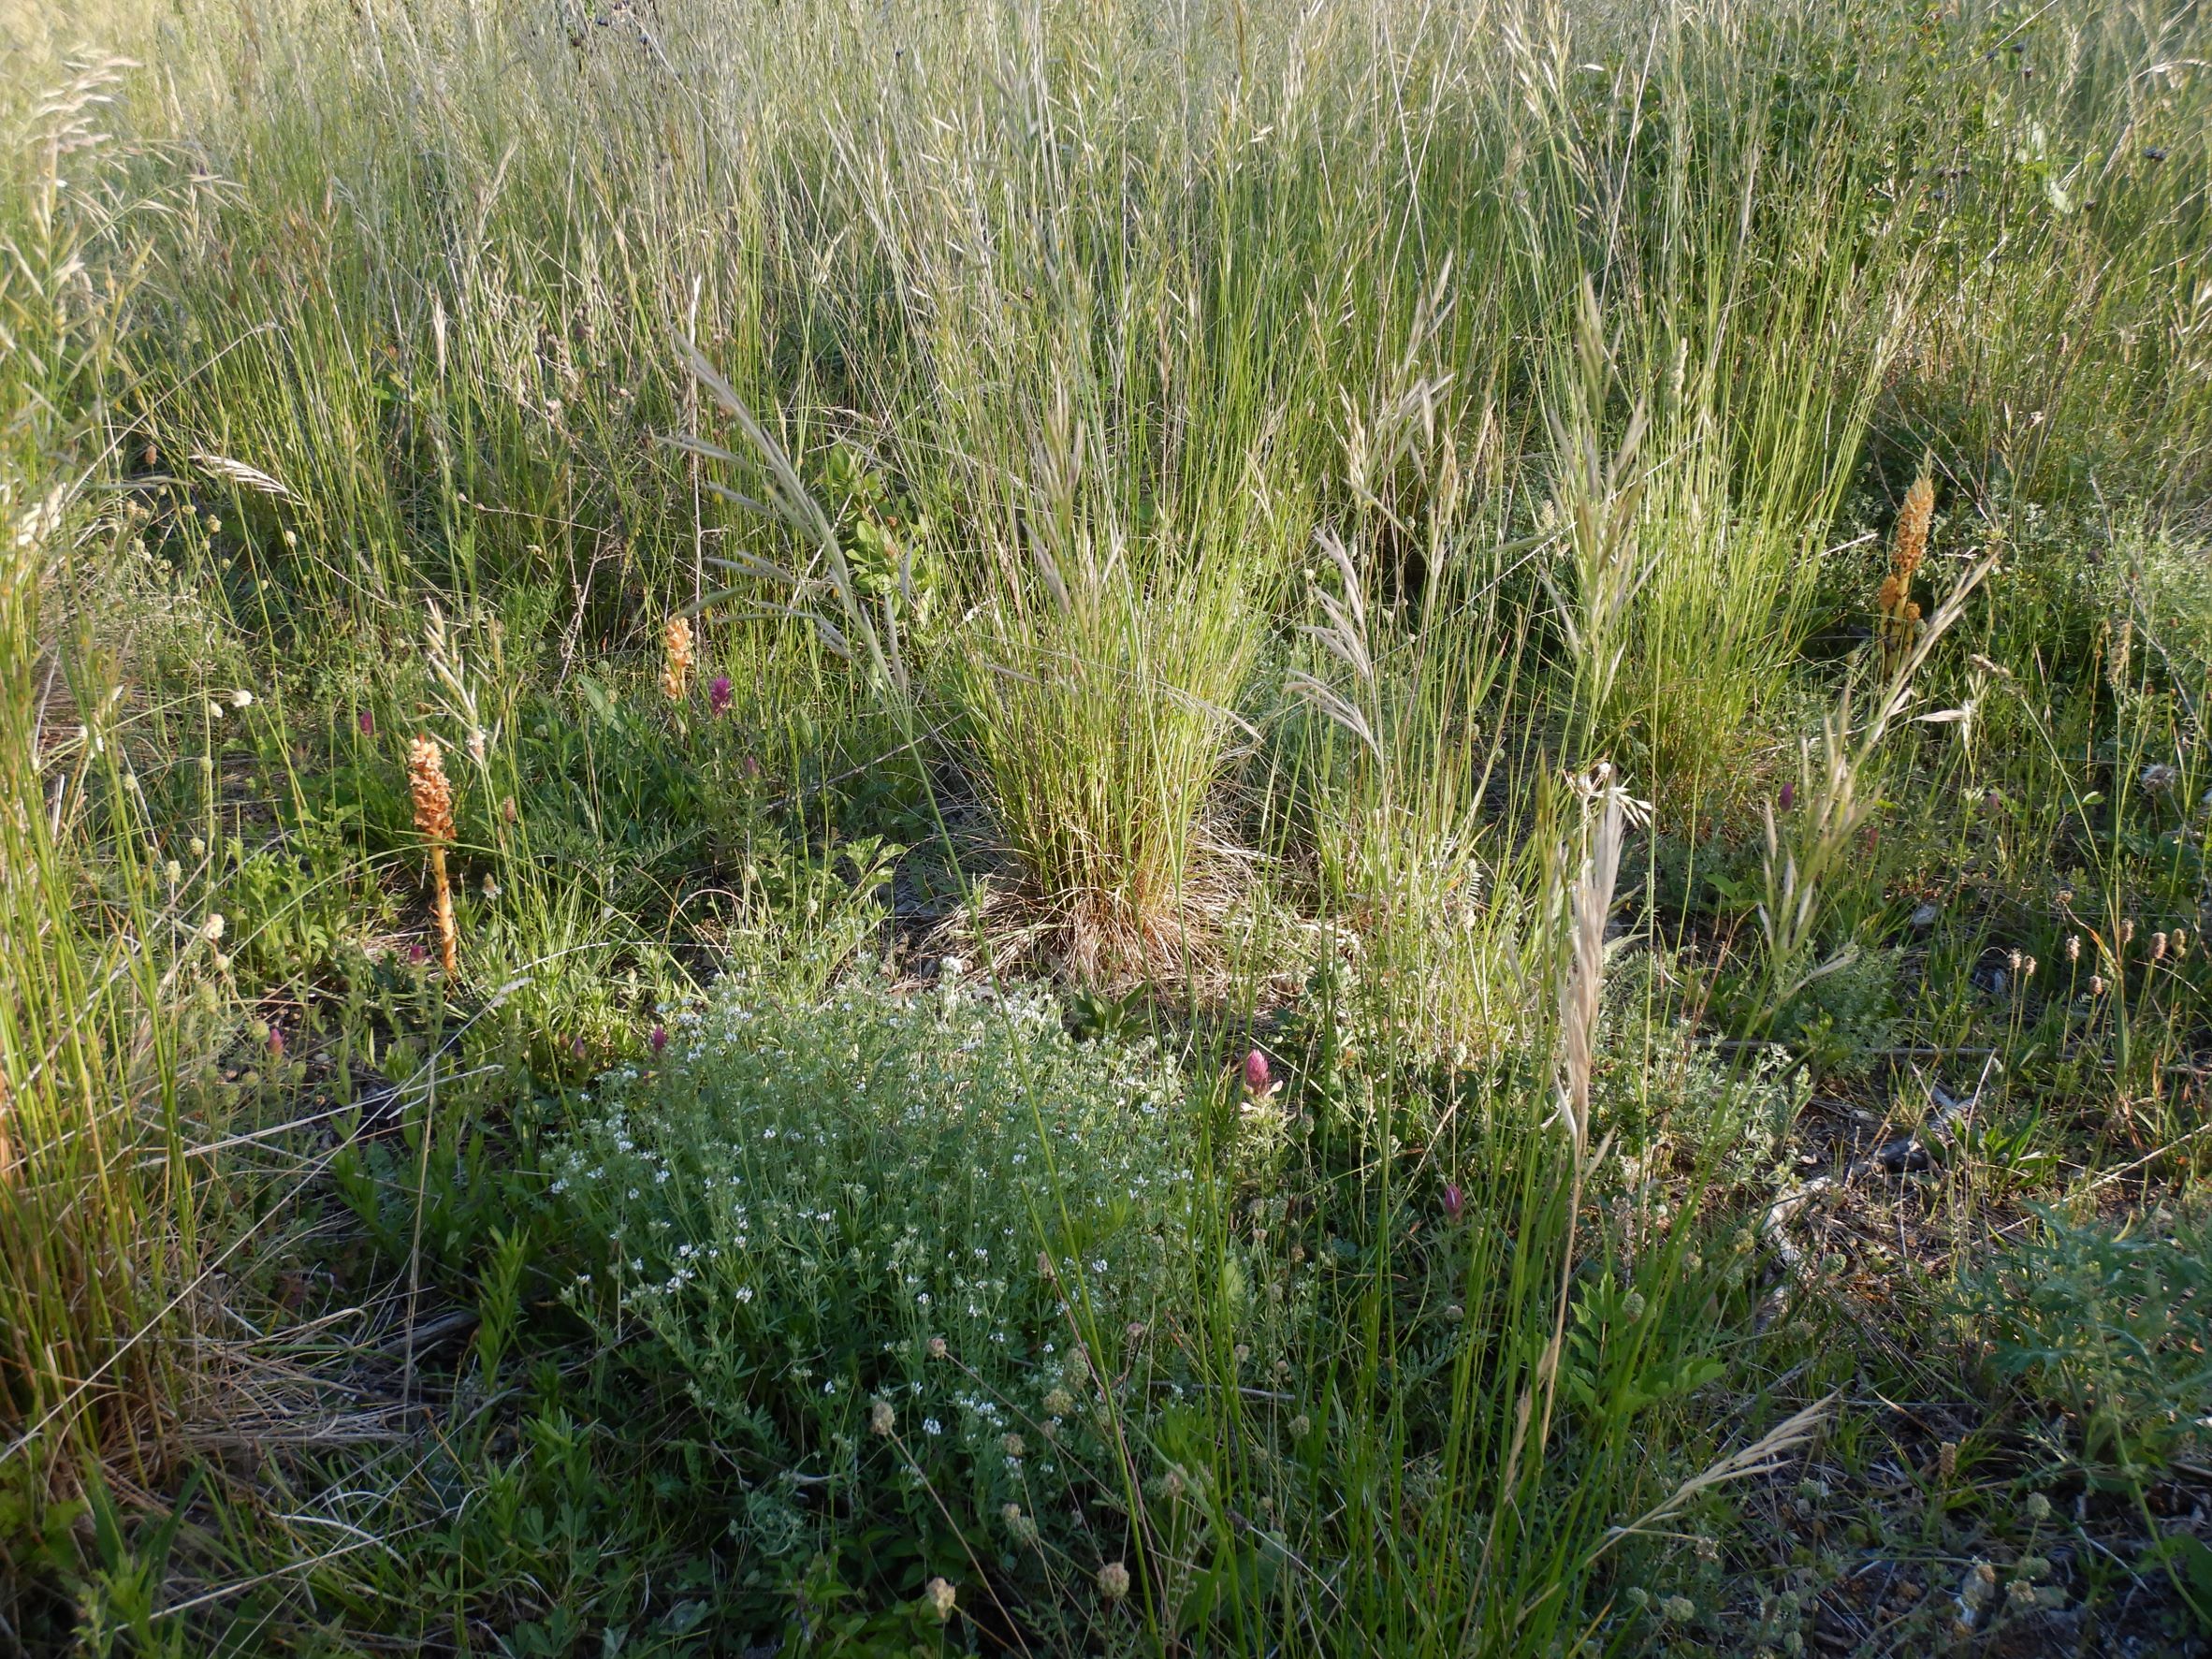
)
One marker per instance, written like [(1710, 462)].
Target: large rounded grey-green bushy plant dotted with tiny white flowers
[(899, 1253)]
